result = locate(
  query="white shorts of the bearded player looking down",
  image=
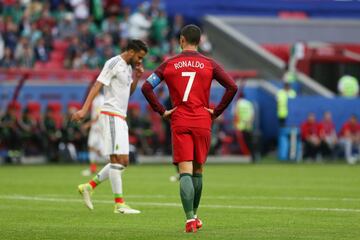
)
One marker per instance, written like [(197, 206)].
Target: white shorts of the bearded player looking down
[(115, 135)]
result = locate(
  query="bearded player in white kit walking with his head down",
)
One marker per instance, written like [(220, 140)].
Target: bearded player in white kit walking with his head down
[(117, 80)]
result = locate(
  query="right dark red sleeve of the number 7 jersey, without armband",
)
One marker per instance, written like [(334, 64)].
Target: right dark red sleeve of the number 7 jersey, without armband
[(228, 83)]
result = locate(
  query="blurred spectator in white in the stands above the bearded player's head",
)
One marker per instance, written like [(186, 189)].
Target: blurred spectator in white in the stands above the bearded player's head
[(139, 24)]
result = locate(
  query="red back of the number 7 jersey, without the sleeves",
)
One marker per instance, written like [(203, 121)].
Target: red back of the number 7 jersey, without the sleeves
[(188, 77)]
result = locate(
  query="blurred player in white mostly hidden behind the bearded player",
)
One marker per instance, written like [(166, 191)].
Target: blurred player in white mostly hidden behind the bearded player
[(95, 141)]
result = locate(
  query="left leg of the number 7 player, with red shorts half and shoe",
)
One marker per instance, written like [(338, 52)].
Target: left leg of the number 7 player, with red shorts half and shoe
[(183, 155)]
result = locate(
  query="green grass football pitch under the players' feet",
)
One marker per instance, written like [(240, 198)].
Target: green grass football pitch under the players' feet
[(265, 201)]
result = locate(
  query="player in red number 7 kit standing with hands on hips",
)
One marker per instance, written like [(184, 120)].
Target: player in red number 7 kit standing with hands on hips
[(188, 76)]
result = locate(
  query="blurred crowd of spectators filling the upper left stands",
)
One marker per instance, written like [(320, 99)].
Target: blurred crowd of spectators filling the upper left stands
[(83, 34)]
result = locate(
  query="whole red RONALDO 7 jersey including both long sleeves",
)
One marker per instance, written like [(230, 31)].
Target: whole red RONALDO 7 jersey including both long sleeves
[(188, 77)]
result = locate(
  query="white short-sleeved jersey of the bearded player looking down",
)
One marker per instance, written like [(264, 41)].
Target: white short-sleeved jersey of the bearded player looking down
[(116, 76)]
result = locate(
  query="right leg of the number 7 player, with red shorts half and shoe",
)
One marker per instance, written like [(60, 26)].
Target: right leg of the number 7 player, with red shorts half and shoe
[(202, 140)]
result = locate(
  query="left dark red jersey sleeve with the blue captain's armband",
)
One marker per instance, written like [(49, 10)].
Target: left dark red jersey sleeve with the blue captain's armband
[(147, 89)]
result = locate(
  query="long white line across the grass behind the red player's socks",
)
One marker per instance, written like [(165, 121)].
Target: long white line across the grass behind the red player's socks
[(309, 209)]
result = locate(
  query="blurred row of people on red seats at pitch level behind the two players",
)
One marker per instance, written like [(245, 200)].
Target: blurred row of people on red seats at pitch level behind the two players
[(29, 131)]
